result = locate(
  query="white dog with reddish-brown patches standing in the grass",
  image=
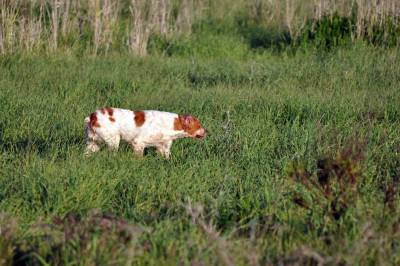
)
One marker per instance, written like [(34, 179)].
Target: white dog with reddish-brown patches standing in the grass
[(139, 128)]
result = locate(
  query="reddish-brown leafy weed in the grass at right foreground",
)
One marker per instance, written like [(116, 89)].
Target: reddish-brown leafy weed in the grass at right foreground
[(335, 186)]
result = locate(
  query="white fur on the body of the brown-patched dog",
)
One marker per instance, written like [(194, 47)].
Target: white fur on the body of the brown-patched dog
[(157, 130)]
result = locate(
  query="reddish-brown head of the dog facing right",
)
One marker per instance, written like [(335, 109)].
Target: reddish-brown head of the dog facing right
[(191, 125)]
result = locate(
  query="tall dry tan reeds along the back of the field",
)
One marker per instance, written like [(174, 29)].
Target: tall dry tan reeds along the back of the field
[(46, 24)]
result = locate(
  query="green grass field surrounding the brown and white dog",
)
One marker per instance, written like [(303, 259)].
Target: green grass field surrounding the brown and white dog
[(241, 196)]
